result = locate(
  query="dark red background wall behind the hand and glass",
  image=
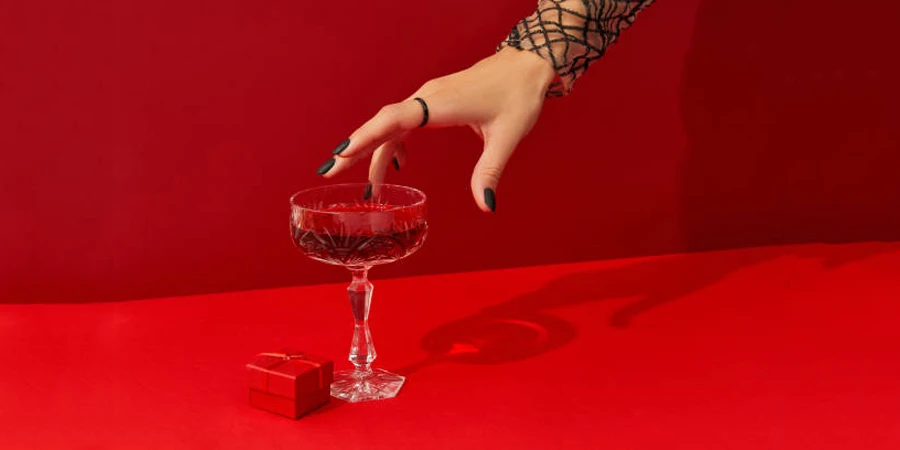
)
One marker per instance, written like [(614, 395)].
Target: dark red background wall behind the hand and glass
[(149, 148)]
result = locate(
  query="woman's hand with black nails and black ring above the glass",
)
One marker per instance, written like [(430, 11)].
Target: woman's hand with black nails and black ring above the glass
[(499, 98)]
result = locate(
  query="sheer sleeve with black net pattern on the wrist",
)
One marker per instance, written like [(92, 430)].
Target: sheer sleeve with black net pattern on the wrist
[(572, 34)]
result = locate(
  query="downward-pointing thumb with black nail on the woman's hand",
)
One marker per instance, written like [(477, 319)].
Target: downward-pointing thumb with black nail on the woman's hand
[(499, 145)]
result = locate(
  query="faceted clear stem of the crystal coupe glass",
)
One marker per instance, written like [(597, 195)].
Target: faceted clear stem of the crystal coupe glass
[(362, 351)]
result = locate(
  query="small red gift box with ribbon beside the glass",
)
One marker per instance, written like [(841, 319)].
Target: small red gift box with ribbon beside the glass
[(290, 383)]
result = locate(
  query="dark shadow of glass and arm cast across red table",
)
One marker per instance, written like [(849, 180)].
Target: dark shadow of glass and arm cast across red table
[(522, 328)]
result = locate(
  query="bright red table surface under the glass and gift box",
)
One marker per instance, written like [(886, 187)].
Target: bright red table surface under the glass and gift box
[(788, 347)]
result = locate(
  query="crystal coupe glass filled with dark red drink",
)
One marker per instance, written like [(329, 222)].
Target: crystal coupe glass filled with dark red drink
[(359, 226)]
